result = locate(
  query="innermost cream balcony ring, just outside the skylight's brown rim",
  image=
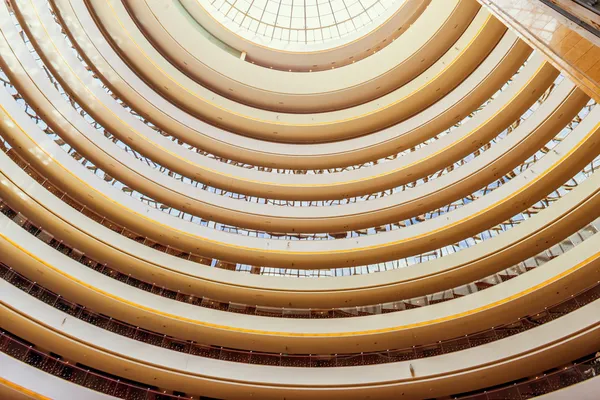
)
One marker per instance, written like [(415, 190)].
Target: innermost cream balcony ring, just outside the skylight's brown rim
[(439, 25)]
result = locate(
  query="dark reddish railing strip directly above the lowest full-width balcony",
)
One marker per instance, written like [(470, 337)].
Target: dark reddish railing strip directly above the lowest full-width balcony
[(299, 360)]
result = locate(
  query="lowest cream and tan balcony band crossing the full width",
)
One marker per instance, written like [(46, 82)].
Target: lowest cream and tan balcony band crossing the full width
[(548, 352)]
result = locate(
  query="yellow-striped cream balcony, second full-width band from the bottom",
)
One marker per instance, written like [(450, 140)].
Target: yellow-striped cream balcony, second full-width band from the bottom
[(493, 306)]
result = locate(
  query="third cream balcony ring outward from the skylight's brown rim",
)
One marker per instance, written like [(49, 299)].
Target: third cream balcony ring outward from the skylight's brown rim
[(133, 91)]
